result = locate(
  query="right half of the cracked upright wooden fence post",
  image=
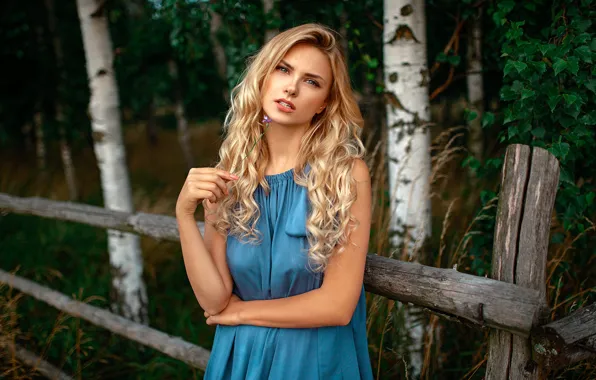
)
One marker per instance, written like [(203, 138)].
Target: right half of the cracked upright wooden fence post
[(534, 236)]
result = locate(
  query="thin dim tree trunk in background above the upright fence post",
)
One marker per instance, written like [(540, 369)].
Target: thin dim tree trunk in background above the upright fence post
[(475, 85)]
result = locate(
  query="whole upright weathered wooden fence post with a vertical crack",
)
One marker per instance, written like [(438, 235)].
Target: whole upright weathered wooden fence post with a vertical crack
[(529, 184)]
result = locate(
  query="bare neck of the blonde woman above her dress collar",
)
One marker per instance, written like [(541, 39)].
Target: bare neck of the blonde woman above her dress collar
[(283, 142)]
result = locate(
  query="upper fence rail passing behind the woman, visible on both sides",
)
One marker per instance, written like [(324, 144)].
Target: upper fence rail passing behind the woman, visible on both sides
[(477, 300)]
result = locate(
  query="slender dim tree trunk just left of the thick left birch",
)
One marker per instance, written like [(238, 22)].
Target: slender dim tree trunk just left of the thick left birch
[(65, 152)]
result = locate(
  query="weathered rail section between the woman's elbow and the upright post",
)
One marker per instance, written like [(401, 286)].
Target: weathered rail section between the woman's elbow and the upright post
[(478, 300)]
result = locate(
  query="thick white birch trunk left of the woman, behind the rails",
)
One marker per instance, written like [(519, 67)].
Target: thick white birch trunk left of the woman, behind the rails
[(124, 248)]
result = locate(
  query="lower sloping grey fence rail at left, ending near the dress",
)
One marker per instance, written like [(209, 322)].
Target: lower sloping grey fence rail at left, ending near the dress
[(170, 345)]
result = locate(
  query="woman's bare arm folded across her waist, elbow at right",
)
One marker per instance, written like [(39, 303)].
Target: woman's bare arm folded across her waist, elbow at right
[(335, 301)]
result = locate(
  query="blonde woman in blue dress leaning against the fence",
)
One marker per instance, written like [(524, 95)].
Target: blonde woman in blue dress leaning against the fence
[(280, 268)]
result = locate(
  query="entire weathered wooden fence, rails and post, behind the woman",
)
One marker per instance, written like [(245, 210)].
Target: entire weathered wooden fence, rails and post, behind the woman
[(513, 303)]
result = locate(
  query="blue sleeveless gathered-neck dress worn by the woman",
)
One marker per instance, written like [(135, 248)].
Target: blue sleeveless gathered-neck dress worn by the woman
[(275, 268)]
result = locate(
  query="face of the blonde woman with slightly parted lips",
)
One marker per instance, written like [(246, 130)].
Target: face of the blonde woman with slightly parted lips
[(298, 87)]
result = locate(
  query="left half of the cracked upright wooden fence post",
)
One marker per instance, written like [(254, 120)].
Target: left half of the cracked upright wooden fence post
[(509, 214)]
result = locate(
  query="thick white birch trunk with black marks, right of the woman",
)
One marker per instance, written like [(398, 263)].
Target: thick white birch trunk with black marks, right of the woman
[(408, 114)]
